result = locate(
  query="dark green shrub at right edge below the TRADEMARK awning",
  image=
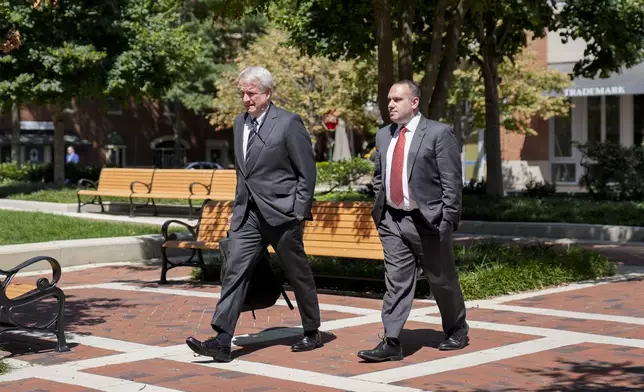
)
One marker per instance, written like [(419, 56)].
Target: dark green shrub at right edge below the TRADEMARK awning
[(612, 171)]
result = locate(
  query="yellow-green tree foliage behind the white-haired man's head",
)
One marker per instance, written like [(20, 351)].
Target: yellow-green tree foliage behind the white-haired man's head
[(309, 86)]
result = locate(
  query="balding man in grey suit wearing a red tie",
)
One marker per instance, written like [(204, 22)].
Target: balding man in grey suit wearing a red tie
[(418, 187)]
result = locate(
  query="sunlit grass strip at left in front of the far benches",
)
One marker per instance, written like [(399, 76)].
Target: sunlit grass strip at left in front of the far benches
[(24, 227)]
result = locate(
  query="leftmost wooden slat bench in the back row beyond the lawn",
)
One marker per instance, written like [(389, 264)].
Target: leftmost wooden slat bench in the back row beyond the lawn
[(114, 182)]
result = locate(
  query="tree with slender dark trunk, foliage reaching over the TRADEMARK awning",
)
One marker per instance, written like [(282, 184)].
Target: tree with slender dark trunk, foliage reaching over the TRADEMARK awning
[(498, 30)]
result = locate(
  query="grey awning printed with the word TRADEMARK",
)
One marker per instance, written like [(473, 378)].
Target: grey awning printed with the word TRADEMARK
[(629, 82)]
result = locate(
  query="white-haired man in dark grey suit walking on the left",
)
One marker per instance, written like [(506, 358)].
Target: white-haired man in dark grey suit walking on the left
[(275, 183)]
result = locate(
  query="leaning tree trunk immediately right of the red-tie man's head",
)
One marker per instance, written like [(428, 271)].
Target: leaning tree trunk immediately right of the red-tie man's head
[(434, 59)]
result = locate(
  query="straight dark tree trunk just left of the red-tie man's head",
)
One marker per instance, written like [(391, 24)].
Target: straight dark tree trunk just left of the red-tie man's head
[(384, 40)]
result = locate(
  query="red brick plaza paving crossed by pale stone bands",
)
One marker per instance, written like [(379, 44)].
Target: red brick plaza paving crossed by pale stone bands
[(127, 334)]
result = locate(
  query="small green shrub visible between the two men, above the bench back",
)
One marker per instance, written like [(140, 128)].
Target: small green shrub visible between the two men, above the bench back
[(336, 174)]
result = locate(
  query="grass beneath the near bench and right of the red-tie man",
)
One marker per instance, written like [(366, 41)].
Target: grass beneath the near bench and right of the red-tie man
[(486, 269)]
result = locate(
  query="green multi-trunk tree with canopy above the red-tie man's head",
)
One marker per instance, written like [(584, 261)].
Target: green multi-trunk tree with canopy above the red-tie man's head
[(424, 34)]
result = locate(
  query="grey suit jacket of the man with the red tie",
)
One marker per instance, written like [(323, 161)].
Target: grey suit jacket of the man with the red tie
[(434, 172)]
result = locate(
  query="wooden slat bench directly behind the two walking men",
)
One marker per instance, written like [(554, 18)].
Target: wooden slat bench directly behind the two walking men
[(340, 229)]
